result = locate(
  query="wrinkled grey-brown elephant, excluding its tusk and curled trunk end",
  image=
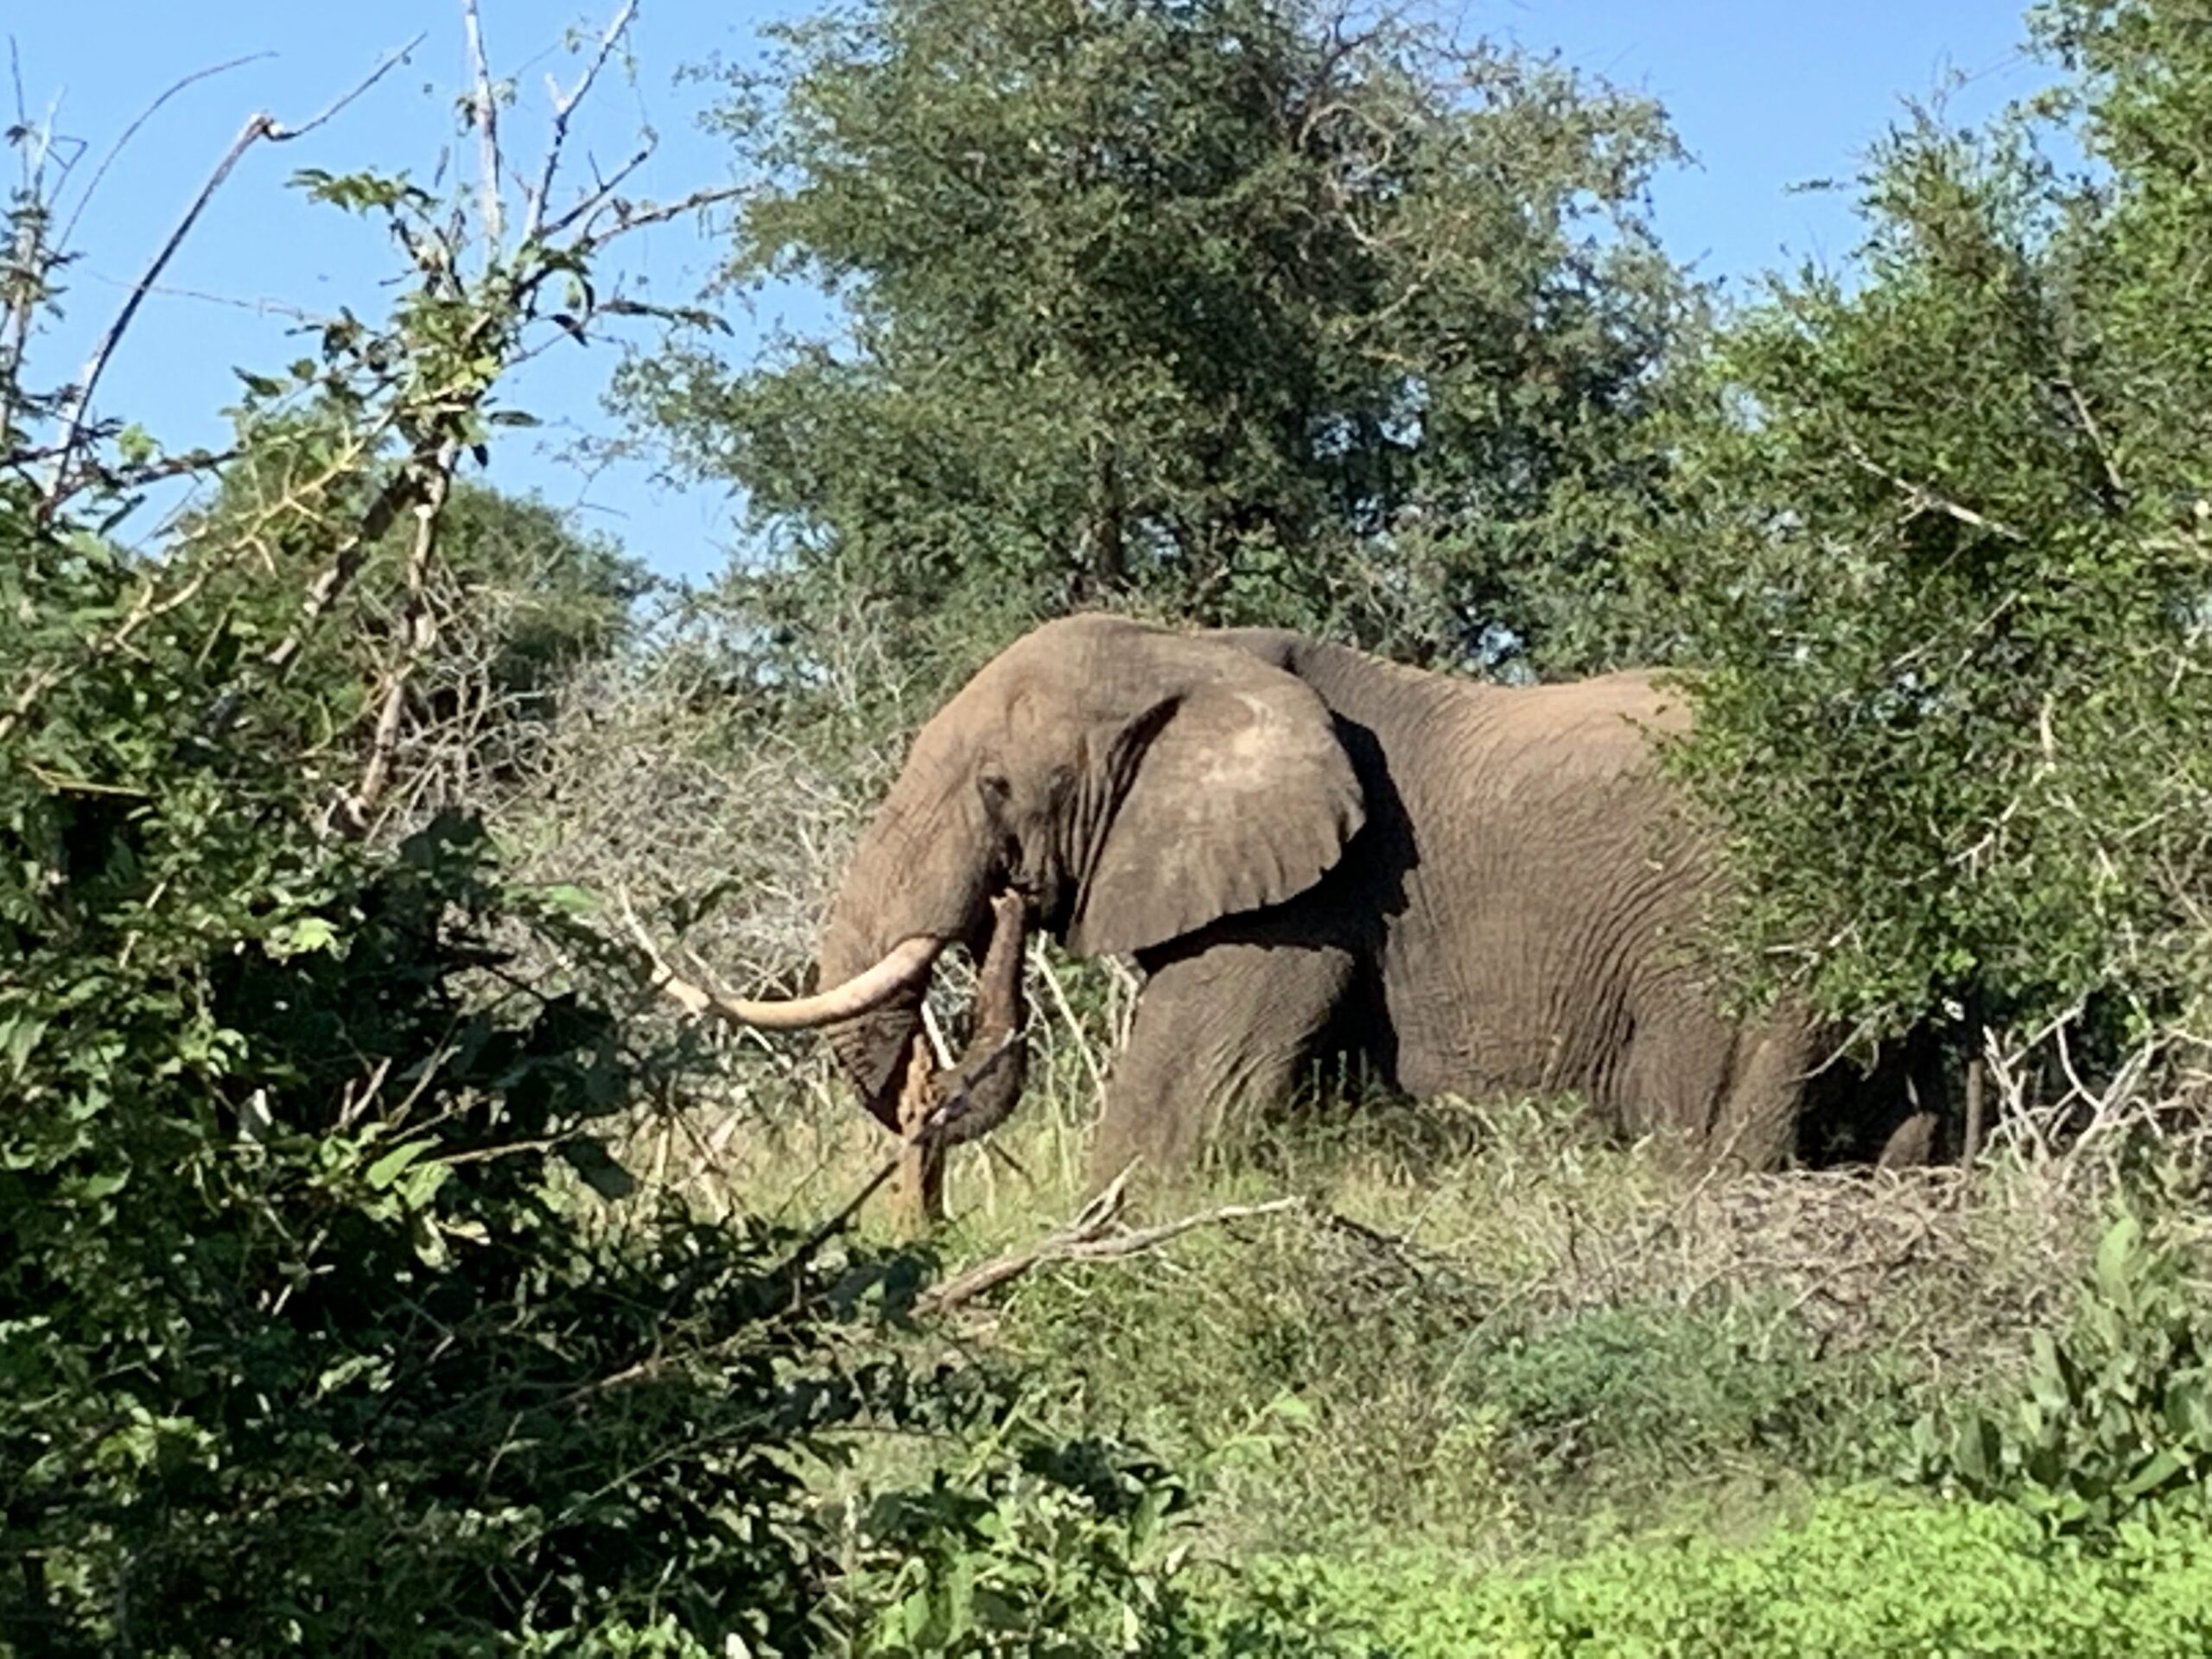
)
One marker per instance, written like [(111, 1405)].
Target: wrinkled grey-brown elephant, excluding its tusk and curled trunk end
[(1313, 851)]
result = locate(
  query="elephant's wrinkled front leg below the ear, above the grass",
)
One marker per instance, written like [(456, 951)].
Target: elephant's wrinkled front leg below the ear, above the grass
[(1222, 1027)]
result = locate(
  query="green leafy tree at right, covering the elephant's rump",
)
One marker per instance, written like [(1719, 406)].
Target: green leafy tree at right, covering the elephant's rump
[(1945, 550)]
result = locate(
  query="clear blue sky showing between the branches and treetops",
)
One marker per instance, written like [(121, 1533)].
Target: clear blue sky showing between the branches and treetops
[(1766, 94)]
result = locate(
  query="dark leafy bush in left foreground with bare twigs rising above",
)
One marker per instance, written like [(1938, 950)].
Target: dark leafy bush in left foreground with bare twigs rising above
[(324, 1322)]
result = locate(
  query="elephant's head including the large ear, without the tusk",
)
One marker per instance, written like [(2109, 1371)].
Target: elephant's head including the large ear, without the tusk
[(1129, 782)]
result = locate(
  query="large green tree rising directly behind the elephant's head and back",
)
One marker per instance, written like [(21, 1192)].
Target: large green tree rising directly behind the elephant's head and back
[(1242, 311)]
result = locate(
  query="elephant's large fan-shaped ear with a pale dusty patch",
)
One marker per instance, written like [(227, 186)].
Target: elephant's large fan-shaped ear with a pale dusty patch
[(1240, 797)]
